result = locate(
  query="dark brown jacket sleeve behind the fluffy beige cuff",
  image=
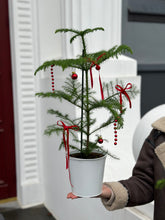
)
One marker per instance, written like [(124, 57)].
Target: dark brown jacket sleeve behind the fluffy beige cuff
[(141, 185)]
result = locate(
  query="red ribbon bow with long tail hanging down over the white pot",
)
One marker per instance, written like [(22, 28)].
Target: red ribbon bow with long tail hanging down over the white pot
[(66, 142)]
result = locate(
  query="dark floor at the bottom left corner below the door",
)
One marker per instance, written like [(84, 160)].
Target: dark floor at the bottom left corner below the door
[(13, 212)]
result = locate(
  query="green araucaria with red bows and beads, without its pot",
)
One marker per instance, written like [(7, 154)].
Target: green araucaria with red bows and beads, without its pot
[(81, 95)]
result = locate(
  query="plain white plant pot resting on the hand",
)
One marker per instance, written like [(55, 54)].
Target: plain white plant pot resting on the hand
[(87, 176)]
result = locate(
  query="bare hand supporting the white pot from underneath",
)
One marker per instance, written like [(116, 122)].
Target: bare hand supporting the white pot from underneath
[(105, 194)]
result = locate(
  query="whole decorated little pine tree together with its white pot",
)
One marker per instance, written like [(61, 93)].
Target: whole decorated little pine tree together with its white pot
[(86, 160)]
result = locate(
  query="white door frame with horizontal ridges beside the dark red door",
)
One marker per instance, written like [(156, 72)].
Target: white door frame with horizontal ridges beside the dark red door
[(25, 58)]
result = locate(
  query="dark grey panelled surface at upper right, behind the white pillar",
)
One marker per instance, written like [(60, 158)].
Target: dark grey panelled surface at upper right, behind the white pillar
[(143, 29)]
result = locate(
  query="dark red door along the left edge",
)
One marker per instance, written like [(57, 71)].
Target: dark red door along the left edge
[(7, 148)]
